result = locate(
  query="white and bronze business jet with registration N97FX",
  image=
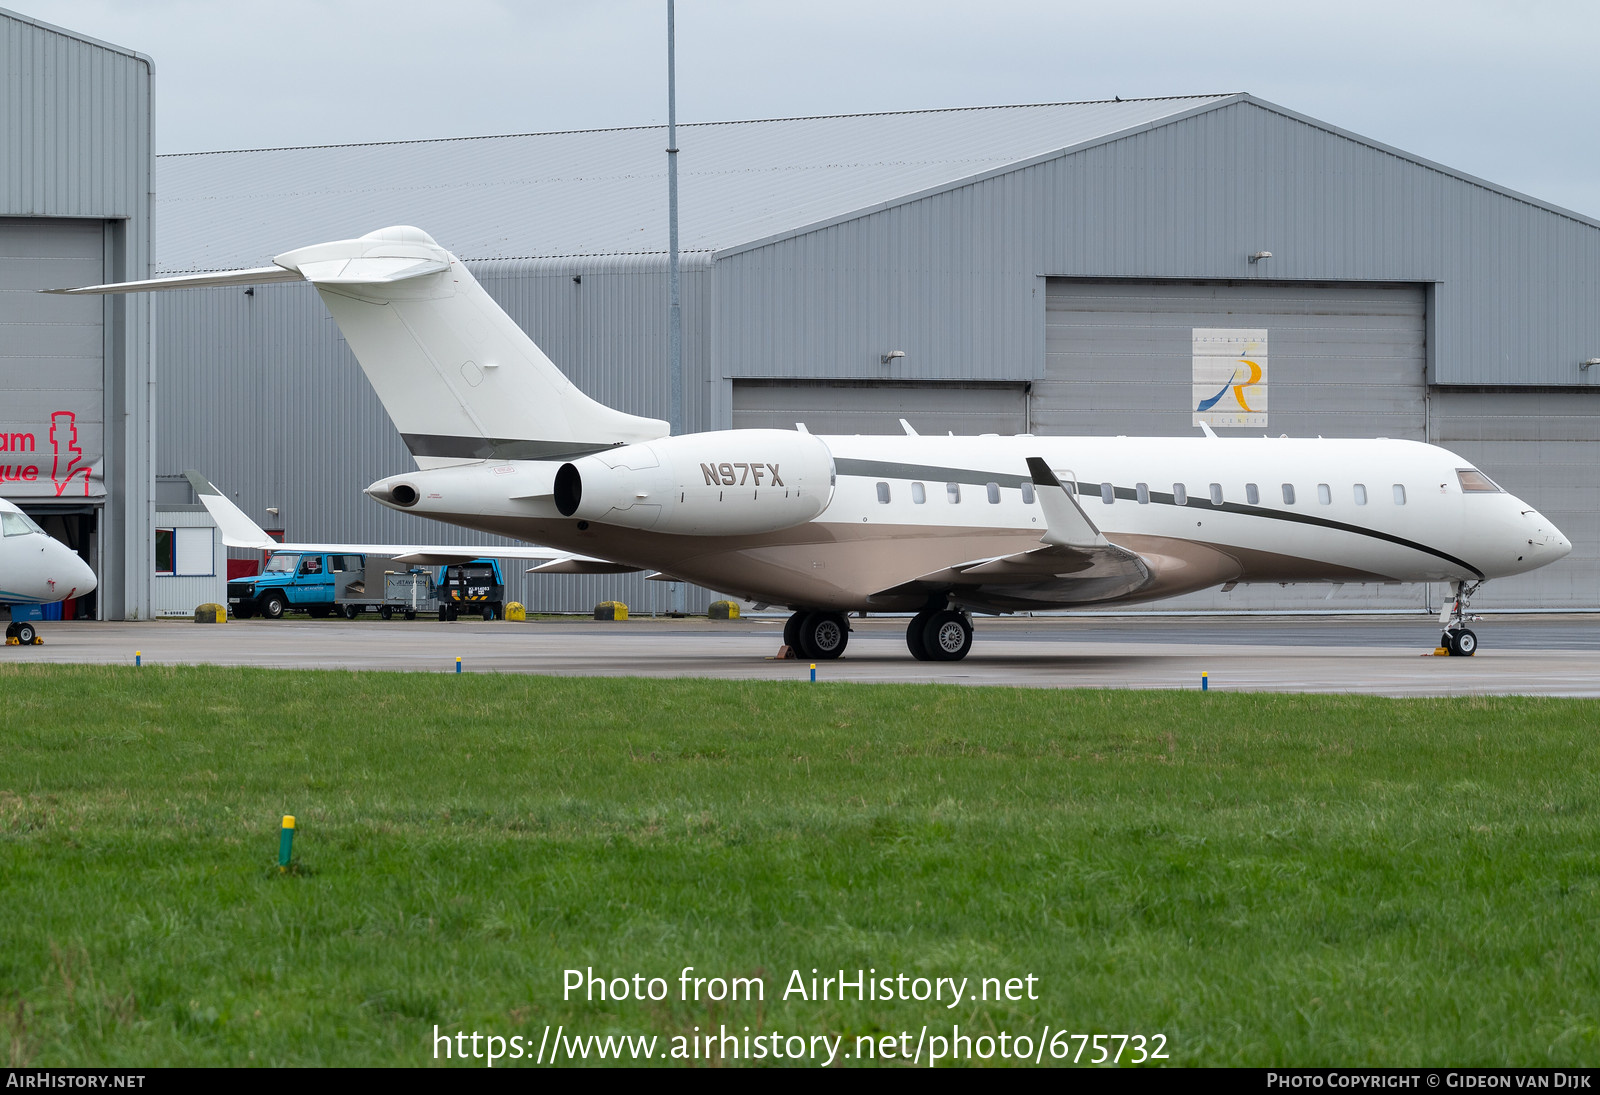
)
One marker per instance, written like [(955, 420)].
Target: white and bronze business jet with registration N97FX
[(942, 527)]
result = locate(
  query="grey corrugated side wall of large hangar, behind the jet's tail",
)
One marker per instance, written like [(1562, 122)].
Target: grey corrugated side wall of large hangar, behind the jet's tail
[(263, 396)]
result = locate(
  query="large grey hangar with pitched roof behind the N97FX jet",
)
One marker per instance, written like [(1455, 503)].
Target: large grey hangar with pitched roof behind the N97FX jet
[(1054, 270)]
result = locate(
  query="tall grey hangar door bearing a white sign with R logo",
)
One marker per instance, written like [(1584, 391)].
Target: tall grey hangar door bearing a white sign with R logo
[(1337, 361)]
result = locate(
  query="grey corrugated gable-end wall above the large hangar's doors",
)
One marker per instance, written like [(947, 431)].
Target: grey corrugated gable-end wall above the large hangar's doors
[(948, 278)]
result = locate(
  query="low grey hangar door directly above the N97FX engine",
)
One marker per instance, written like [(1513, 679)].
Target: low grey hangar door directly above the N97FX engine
[(876, 407)]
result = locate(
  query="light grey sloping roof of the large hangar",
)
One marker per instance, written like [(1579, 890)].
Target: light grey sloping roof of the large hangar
[(606, 191)]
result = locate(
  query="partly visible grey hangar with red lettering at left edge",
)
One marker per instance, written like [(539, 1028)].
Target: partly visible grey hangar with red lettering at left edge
[(76, 196)]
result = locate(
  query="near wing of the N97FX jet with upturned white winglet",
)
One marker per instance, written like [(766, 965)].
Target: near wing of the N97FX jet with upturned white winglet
[(1074, 555)]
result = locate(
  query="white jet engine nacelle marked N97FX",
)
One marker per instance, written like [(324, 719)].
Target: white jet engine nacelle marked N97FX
[(727, 483)]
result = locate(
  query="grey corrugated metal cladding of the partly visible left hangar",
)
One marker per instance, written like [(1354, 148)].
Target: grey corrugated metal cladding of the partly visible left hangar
[(76, 143)]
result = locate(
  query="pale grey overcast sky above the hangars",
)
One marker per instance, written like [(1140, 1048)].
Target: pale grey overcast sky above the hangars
[(1500, 90)]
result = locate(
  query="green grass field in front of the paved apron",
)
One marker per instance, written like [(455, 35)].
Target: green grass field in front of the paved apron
[(1257, 878)]
